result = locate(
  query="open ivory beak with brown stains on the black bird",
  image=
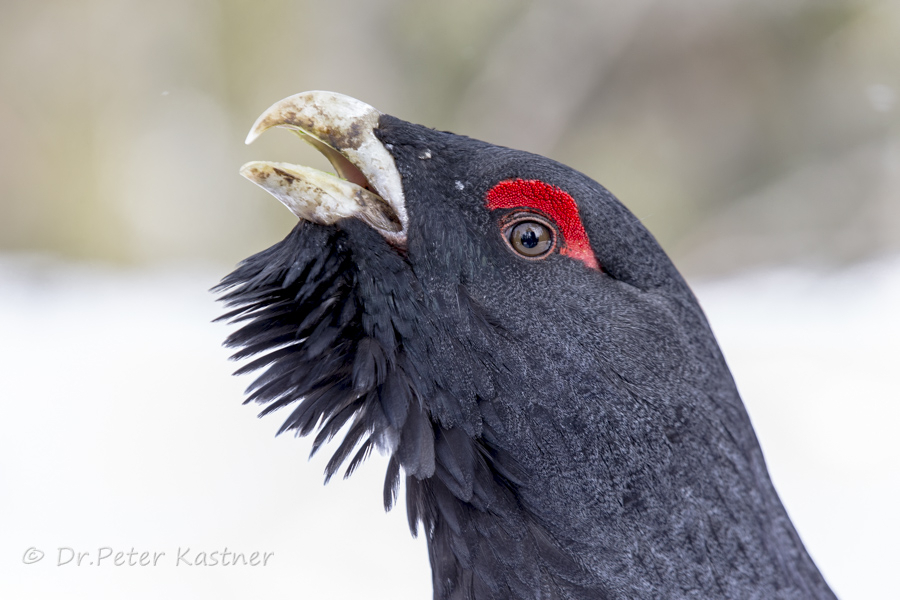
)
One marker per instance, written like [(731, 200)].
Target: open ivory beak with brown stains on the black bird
[(367, 185)]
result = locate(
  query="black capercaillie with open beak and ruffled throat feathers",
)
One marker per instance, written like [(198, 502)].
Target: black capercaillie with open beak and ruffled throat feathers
[(543, 380)]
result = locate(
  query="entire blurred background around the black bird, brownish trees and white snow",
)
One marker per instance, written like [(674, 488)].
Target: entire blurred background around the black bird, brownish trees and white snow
[(758, 140)]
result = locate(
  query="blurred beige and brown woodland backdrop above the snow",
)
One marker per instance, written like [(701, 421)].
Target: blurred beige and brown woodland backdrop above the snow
[(742, 132)]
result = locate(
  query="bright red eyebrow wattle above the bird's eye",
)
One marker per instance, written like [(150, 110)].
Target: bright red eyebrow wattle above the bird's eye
[(553, 202)]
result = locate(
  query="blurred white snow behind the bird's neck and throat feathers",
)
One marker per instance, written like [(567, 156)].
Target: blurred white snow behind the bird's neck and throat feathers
[(123, 430)]
